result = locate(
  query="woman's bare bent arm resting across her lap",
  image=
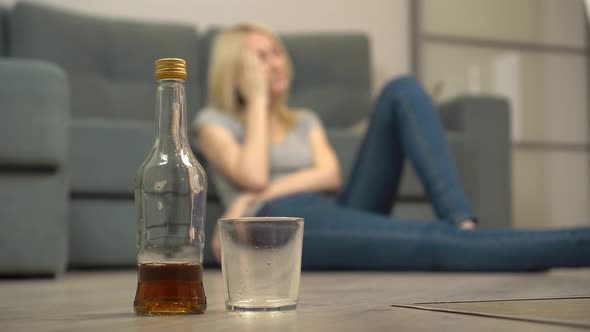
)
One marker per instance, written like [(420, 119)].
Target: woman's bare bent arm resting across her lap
[(324, 175)]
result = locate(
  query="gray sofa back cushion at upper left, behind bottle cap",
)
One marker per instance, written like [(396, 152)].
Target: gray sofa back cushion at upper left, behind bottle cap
[(110, 63)]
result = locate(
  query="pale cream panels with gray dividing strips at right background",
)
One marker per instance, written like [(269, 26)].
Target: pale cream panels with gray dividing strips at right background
[(548, 94)]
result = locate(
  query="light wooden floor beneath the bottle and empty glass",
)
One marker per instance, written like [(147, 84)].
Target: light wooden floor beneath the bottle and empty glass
[(343, 301)]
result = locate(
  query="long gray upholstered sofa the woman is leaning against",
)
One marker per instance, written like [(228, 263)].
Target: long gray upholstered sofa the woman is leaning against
[(110, 91)]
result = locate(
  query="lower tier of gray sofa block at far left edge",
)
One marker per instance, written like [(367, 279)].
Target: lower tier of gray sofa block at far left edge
[(33, 219)]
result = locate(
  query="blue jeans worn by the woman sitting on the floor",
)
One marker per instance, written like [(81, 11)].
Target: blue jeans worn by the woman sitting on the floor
[(355, 231)]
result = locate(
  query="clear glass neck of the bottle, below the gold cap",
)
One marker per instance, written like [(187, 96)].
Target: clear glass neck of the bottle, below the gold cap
[(171, 126)]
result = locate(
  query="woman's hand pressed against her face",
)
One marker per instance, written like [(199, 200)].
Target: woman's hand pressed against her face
[(252, 83)]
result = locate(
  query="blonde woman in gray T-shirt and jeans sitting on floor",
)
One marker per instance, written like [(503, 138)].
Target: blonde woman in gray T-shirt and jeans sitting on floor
[(272, 160)]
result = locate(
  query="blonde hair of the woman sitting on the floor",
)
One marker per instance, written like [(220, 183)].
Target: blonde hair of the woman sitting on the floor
[(224, 62)]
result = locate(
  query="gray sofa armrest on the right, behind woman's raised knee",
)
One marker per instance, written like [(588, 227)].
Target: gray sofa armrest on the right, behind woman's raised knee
[(484, 123)]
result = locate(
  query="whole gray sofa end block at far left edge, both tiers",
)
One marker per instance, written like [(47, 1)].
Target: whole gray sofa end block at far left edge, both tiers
[(34, 106)]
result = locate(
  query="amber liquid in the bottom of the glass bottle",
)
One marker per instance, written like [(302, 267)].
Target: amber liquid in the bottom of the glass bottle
[(164, 289)]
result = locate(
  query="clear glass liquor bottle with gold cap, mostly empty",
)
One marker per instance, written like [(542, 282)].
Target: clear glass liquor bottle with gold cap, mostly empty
[(170, 192)]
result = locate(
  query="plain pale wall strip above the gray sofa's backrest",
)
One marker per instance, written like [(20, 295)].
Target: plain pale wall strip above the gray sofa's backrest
[(385, 21)]
